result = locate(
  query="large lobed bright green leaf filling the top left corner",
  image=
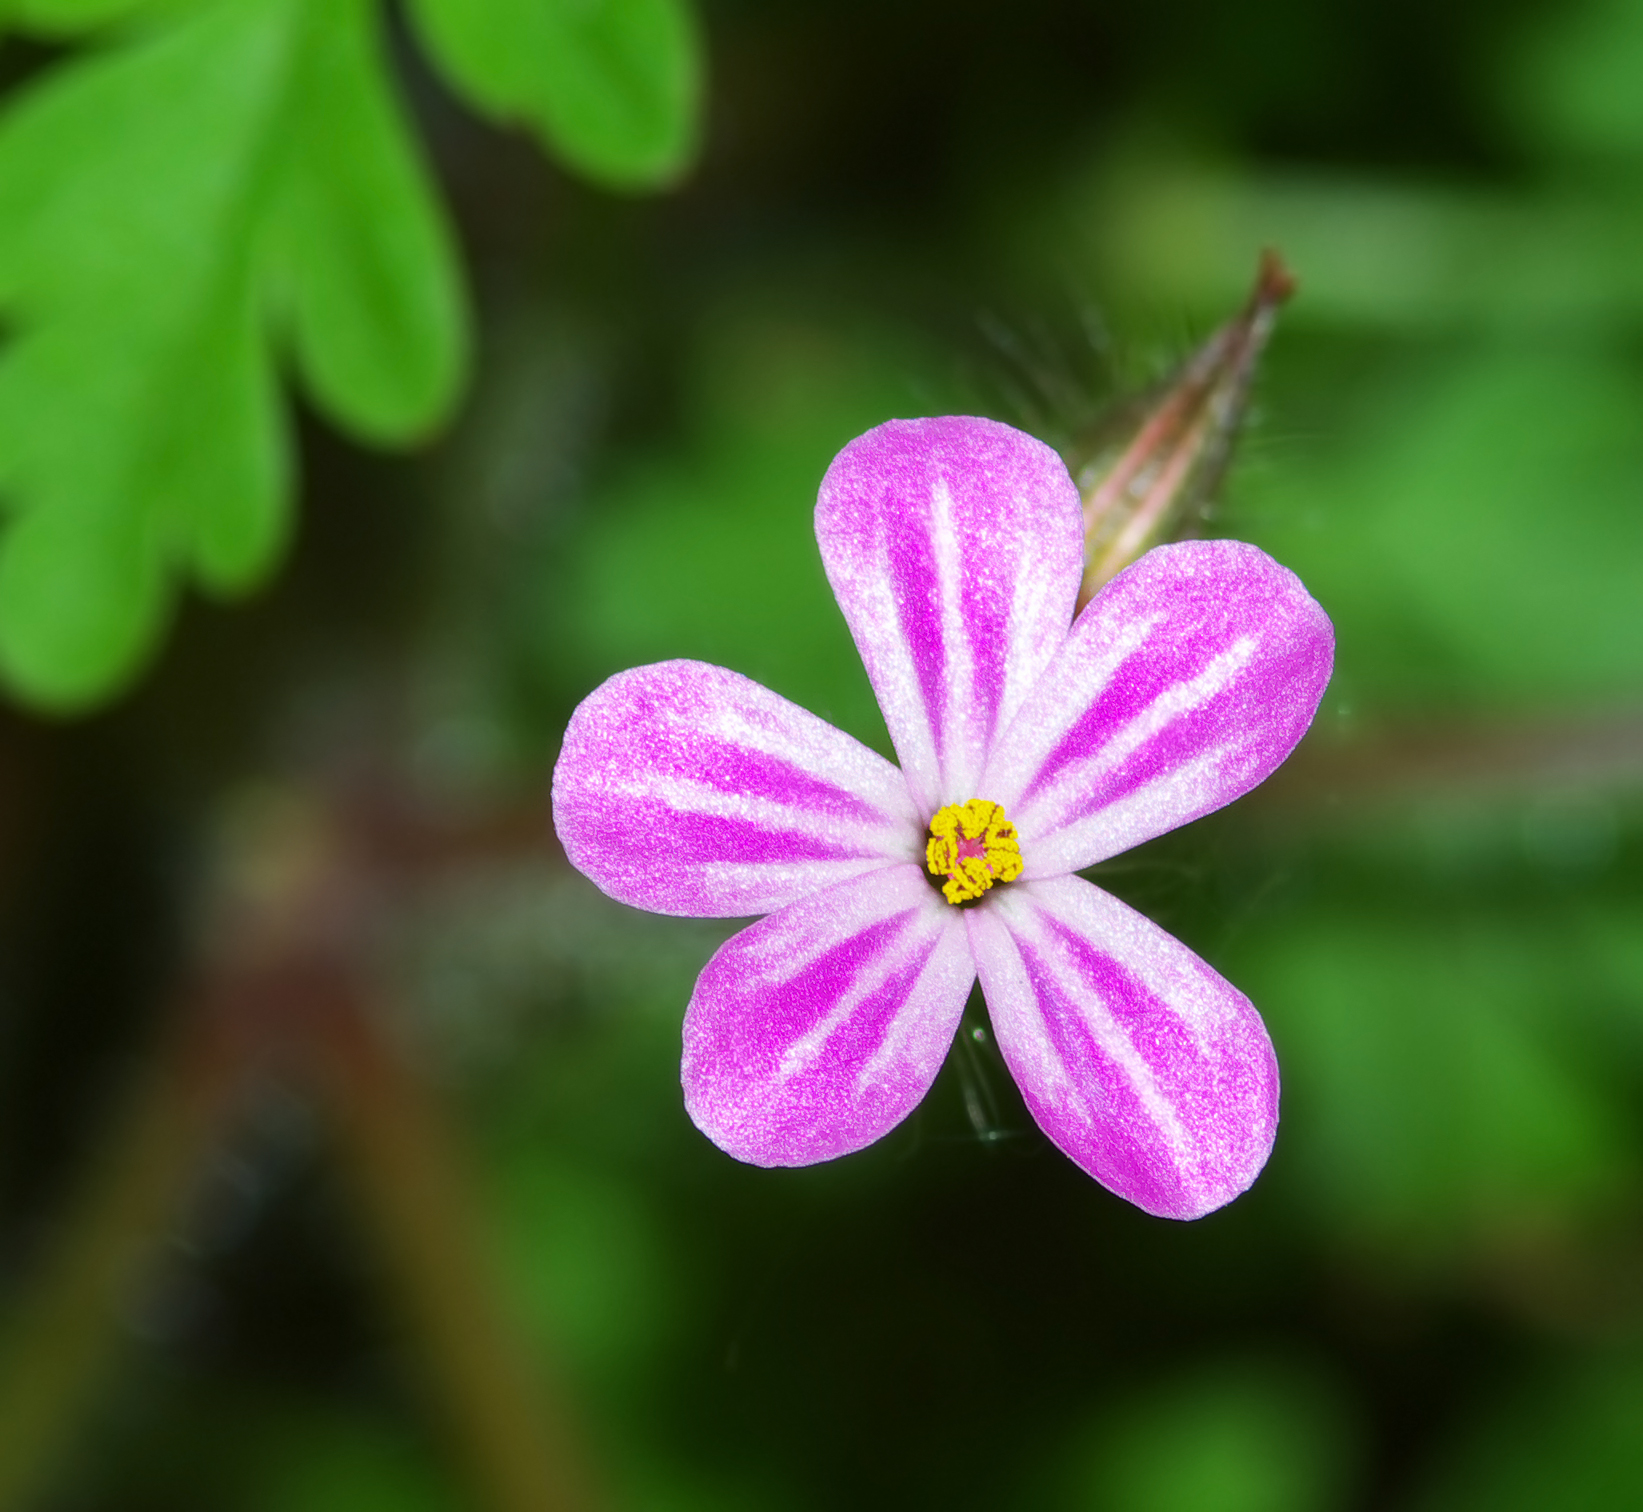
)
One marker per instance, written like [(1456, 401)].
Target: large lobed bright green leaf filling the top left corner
[(170, 211)]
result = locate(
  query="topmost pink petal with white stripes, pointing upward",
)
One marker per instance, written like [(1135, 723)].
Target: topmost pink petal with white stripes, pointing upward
[(955, 548)]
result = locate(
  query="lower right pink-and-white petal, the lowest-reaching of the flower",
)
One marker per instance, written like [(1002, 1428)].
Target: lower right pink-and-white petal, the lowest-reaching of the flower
[(1141, 1063)]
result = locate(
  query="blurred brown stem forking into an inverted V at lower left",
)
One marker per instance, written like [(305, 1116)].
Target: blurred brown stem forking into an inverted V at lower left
[(287, 997)]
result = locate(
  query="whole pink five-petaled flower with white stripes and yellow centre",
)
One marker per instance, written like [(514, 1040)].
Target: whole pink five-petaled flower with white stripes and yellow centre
[(1033, 747)]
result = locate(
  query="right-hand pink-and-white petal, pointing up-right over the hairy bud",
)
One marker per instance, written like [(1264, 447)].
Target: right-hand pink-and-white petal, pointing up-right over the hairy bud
[(1184, 685)]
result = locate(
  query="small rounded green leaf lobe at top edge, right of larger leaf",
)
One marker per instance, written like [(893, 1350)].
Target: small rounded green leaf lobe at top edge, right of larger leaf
[(614, 86)]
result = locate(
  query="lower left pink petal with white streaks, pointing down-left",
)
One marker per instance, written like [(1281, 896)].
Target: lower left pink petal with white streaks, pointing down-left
[(819, 1030)]
